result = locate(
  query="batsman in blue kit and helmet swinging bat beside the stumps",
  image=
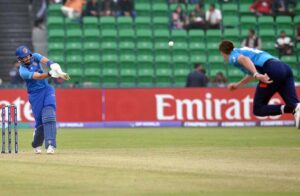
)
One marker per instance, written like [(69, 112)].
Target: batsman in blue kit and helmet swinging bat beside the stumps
[(41, 96)]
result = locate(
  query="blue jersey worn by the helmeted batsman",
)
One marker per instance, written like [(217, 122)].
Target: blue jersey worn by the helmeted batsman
[(26, 72)]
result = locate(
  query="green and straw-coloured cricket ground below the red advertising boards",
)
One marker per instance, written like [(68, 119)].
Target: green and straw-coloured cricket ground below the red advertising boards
[(173, 161)]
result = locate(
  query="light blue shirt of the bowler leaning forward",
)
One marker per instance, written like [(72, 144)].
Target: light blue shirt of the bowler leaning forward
[(258, 57)]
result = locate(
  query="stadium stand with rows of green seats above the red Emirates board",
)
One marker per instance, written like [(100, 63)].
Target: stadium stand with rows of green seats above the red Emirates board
[(133, 52)]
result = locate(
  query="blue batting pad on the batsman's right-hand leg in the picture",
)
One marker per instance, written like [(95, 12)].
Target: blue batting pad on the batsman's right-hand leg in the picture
[(49, 123)]
